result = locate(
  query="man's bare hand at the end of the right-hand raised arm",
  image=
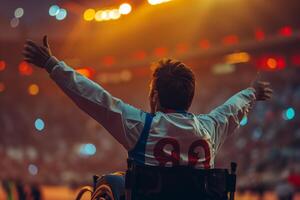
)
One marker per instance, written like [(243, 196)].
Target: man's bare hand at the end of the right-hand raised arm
[(263, 90)]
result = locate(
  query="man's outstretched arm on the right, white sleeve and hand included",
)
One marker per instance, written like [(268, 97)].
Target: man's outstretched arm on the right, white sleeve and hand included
[(225, 119)]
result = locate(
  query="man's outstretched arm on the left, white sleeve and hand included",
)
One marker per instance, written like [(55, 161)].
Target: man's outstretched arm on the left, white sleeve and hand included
[(123, 121)]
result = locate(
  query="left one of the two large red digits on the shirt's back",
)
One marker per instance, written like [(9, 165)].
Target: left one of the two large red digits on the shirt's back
[(162, 157)]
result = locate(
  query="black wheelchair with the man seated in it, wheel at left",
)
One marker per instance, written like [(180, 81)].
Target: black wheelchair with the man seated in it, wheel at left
[(142, 182)]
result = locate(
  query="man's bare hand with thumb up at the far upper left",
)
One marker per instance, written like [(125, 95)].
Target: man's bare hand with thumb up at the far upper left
[(35, 54)]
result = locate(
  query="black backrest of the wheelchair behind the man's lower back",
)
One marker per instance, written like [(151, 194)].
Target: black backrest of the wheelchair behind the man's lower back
[(163, 183)]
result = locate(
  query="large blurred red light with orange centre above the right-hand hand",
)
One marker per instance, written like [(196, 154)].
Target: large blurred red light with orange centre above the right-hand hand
[(271, 63)]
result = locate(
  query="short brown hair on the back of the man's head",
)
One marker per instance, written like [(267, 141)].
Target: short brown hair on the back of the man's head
[(175, 84)]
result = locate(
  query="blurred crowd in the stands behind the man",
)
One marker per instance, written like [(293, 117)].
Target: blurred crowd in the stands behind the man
[(266, 147)]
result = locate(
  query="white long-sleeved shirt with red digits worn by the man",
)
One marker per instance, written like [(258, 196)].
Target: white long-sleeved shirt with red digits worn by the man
[(166, 139)]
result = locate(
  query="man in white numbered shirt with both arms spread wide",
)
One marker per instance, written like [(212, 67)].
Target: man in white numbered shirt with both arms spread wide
[(167, 136)]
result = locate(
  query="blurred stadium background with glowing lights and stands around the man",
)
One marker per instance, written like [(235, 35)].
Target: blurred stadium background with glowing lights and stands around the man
[(49, 148)]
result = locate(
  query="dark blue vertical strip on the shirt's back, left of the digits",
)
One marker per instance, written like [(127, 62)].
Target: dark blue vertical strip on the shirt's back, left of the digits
[(138, 152)]
